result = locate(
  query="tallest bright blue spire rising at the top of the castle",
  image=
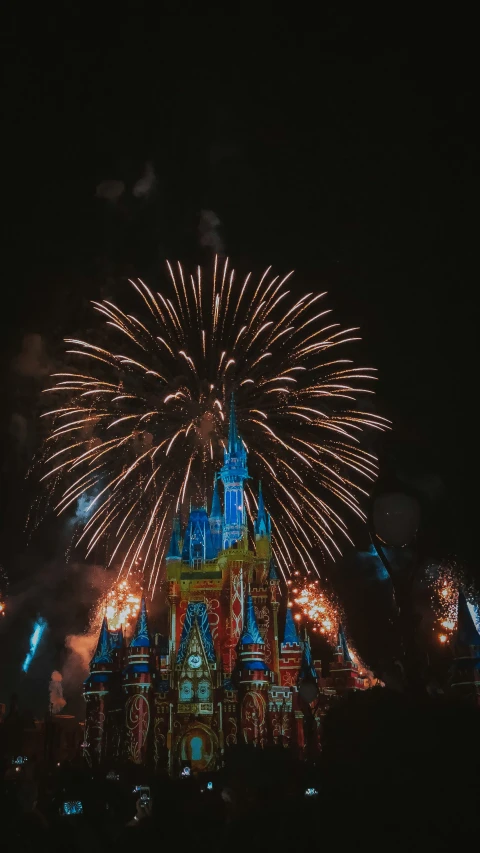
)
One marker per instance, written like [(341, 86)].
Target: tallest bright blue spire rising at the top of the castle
[(233, 475)]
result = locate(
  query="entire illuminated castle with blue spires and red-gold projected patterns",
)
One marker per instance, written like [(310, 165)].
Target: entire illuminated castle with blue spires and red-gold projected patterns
[(228, 672)]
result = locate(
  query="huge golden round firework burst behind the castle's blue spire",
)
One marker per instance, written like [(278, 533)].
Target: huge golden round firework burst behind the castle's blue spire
[(142, 430)]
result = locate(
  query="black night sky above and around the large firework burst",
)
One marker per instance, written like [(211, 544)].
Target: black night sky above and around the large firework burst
[(343, 149)]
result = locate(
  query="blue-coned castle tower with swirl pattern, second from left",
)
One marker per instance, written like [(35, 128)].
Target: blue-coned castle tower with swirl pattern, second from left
[(137, 683)]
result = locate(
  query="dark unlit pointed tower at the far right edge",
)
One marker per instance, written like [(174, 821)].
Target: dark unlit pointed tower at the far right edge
[(465, 677)]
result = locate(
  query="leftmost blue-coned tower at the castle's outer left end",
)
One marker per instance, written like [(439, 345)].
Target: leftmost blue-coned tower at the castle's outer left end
[(95, 691)]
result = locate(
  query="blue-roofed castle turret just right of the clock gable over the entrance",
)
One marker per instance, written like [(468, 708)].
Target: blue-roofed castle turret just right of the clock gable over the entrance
[(254, 680)]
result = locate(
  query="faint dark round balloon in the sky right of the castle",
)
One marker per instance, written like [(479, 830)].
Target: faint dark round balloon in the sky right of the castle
[(396, 518)]
